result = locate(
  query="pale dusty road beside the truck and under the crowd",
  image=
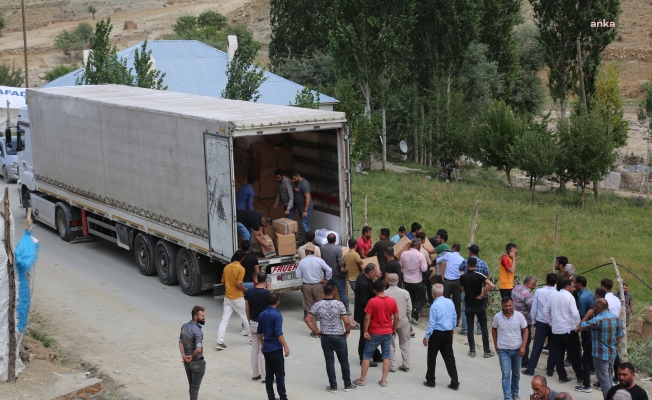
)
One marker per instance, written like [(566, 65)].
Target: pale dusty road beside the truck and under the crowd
[(113, 317)]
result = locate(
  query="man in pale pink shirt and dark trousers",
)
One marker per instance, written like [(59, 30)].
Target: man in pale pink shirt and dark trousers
[(414, 265)]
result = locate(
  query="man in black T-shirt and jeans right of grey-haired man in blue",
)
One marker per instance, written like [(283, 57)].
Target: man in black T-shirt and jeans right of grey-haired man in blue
[(475, 286)]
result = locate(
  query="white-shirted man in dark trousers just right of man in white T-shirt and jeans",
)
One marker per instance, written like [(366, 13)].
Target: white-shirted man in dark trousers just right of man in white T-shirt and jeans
[(542, 332)]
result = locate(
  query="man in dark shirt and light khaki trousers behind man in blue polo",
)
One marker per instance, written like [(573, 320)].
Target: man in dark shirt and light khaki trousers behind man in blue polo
[(256, 302)]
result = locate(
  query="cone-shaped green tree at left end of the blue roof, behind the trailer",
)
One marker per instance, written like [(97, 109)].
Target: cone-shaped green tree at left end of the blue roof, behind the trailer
[(103, 65)]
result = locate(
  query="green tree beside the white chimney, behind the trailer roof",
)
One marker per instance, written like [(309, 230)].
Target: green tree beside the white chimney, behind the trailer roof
[(243, 79)]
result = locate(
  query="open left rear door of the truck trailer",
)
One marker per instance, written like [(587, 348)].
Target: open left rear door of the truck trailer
[(221, 197)]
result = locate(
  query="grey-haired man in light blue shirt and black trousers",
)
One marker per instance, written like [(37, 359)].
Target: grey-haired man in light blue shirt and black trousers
[(439, 337)]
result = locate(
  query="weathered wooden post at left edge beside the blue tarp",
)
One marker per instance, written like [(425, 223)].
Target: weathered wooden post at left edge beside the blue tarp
[(13, 346)]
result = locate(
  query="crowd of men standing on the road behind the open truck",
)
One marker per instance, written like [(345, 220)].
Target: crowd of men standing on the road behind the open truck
[(577, 328)]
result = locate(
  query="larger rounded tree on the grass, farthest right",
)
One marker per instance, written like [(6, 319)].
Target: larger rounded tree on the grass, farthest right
[(587, 152)]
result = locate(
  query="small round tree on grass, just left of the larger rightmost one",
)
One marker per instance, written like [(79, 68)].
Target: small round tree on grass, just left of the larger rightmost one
[(535, 150)]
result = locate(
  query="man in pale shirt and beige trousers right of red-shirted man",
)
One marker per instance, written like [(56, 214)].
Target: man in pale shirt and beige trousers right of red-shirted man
[(404, 304)]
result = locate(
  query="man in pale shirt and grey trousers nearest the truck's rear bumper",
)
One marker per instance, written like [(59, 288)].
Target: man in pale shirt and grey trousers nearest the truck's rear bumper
[(312, 270)]
